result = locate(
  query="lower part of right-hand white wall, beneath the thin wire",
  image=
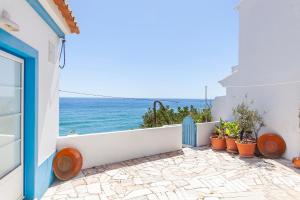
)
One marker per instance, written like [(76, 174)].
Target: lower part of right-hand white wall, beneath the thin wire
[(279, 106)]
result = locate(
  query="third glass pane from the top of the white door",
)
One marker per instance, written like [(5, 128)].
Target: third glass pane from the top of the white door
[(10, 129)]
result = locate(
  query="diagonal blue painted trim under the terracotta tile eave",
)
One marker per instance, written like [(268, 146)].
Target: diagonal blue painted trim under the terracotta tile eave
[(35, 4)]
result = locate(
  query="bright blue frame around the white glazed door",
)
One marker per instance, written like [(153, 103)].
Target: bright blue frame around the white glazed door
[(15, 46)]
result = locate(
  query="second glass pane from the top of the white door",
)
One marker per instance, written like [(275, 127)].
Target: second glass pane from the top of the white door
[(10, 100)]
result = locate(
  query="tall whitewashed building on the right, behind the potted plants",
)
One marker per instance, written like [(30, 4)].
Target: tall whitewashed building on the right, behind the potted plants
[(268, 71)]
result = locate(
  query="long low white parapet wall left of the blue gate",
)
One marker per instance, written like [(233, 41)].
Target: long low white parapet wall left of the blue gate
[(104, 148)]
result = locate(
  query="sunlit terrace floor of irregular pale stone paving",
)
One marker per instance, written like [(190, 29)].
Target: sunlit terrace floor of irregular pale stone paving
[(187, 174)]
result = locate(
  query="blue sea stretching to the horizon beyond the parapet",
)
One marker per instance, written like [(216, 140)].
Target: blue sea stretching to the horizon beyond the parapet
[(97, 115)]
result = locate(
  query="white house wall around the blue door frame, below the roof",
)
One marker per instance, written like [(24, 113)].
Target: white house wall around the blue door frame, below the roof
[(36, 33)]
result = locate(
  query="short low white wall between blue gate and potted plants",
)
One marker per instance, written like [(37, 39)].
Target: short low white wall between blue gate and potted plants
[(204, 131)]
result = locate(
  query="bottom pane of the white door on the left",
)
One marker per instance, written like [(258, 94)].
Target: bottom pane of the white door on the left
[(10, 157)]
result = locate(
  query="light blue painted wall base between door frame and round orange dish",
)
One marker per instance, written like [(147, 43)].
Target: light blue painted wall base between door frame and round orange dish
[(45, 176)]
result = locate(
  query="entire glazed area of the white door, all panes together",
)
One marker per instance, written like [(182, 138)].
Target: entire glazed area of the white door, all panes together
[(10, 116)]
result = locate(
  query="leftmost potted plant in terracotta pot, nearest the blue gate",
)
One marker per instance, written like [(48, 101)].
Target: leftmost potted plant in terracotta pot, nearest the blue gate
[(217, 139)]
